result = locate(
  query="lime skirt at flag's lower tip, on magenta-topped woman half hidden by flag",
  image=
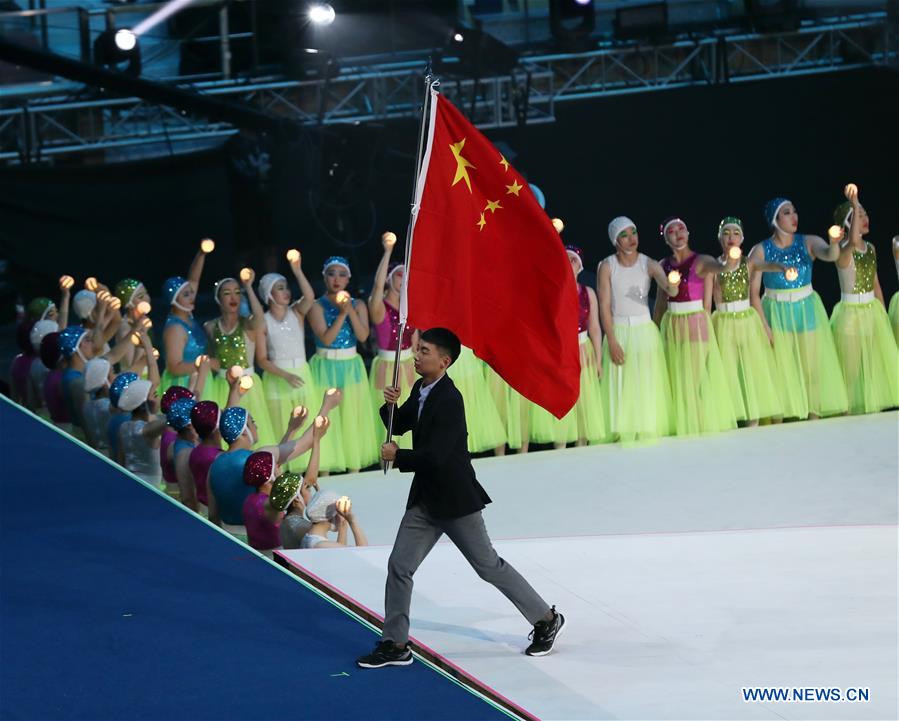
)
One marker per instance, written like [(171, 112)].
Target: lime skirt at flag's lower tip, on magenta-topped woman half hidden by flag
[(586, 422)]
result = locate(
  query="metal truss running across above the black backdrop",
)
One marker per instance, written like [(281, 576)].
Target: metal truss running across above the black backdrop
[(79, 120)]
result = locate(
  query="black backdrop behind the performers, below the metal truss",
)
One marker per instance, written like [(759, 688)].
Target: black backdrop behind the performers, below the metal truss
[(700, 153)]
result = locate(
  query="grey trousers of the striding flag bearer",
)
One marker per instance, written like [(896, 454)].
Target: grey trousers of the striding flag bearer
[(418, 533)]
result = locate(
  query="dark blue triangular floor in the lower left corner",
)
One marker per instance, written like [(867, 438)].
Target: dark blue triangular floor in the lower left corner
[(116, 604)]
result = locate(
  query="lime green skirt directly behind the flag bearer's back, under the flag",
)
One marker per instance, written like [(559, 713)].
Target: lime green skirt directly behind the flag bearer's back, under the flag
[(485, 427)]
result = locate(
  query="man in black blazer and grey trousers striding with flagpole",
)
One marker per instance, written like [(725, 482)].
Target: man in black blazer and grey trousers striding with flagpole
[(445, 497)]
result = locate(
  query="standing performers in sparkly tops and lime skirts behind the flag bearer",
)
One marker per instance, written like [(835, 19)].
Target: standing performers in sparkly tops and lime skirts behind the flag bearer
[(734, 339)]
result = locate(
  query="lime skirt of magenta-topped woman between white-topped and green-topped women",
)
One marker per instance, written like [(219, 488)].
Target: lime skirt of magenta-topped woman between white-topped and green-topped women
[(700, 393)]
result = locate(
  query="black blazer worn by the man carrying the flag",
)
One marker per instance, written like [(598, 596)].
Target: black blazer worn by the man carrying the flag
[(444, 481)]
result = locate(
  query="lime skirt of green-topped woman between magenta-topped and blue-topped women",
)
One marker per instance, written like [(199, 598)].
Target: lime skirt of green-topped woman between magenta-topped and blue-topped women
[(749, 364)]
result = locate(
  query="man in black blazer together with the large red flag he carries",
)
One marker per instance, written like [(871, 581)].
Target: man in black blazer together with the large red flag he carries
[(472, 215)]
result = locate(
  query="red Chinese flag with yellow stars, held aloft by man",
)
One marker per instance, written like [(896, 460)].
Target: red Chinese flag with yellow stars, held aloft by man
[(487, 263)]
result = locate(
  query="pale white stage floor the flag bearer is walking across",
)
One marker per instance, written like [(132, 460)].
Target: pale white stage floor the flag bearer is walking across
[(688, 571)]
